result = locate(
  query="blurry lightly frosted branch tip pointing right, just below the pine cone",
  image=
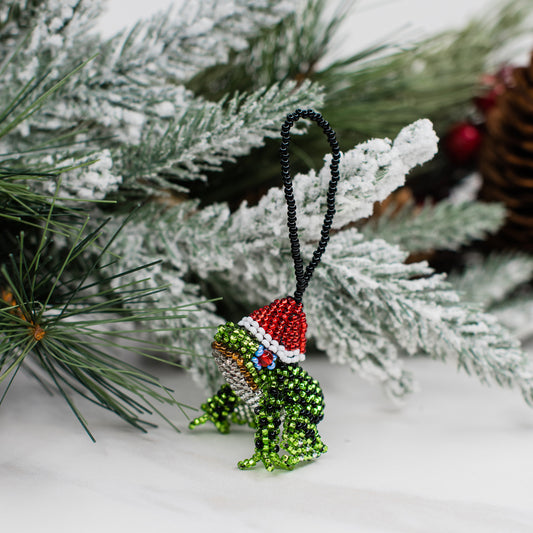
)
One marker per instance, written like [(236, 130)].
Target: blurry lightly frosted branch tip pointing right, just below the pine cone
[(445, 225)]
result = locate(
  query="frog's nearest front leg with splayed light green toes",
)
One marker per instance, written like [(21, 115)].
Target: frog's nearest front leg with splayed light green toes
[(268, 421)]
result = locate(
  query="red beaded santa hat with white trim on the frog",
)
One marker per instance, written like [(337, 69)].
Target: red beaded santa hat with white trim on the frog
[(280, 327)]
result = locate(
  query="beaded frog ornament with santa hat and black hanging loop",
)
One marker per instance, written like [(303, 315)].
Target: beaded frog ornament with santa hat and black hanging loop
[(259, 357)]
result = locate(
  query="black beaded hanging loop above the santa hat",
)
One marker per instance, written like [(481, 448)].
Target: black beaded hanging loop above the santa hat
[(303, 277)]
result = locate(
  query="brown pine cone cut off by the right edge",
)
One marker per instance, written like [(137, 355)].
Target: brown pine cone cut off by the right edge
[(506, 159)]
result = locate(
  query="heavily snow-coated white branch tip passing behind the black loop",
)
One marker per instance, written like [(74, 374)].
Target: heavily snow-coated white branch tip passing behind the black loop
[(368, 174)]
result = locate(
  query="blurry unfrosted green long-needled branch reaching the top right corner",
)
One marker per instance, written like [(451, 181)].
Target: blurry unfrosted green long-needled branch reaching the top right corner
[(436, 78)]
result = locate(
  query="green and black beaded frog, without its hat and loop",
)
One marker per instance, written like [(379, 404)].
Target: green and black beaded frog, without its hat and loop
[(283, 403)]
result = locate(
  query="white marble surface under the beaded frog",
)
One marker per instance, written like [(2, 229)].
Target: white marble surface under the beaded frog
[(456, 458)]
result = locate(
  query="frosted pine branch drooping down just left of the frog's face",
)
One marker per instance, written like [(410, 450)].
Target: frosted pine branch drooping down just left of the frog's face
[(148, 241)]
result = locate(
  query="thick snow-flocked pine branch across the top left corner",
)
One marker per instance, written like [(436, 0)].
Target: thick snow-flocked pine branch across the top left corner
[(136, 80)]
